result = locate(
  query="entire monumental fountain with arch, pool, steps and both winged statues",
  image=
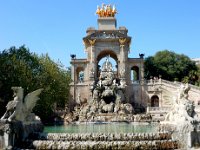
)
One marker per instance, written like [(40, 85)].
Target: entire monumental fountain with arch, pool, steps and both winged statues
[(104, 113)]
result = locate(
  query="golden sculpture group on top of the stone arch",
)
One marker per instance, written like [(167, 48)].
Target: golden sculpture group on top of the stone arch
[(106, 11)]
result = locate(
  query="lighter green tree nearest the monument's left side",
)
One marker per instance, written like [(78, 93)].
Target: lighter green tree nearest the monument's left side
[(55, 81)]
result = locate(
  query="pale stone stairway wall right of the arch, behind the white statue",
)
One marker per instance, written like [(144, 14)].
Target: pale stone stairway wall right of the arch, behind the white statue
[(165, 90)]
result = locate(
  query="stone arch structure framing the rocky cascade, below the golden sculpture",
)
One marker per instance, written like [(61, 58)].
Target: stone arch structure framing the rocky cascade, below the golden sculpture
[(107, 40)]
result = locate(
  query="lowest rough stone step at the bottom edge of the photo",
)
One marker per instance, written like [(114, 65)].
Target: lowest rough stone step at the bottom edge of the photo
[(122, 145)]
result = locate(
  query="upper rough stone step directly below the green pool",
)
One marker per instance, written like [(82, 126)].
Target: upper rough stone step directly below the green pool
[(105, 136)]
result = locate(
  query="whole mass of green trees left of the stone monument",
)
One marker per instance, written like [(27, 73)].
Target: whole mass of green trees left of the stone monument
[(19, 67)]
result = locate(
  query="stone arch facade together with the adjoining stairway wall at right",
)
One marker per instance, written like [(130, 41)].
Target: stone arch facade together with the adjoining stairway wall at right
[(155, 95)]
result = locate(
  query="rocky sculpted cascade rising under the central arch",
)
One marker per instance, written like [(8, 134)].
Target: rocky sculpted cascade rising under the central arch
[(108, 102)]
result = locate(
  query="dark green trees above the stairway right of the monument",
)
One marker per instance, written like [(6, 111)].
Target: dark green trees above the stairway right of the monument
[(171, 66)]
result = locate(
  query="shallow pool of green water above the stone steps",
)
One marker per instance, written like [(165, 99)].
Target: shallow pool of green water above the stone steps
[(117, 127)]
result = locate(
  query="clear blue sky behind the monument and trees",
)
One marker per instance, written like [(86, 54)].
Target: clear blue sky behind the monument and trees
[(57, 27)]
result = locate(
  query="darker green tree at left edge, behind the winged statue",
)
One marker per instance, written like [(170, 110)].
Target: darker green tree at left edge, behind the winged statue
[(18, 67)]
